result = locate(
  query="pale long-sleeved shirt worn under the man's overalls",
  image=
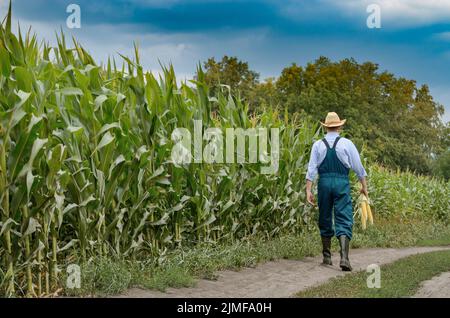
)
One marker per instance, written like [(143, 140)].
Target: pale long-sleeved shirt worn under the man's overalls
[(345, 151)]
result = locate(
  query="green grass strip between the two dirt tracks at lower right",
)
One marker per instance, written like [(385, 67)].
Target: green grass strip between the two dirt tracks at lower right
[(399, 279)]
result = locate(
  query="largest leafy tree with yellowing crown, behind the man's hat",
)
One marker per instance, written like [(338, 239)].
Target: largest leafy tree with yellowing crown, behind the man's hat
[(398, 121)]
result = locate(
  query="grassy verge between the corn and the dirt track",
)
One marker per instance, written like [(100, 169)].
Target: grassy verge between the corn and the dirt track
[(181, 267)]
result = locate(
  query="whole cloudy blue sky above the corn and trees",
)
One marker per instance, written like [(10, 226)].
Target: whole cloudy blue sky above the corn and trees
[(414, 40)]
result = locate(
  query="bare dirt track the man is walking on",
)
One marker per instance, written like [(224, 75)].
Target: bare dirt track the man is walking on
[(282, 278)]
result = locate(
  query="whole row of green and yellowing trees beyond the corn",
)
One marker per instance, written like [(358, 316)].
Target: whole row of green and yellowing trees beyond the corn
[(396, 121)]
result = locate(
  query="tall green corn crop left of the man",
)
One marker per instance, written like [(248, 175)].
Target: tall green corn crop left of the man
[(85, 164)]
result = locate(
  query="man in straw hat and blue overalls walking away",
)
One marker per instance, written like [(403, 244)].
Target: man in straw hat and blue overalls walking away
[(332, 158)]
